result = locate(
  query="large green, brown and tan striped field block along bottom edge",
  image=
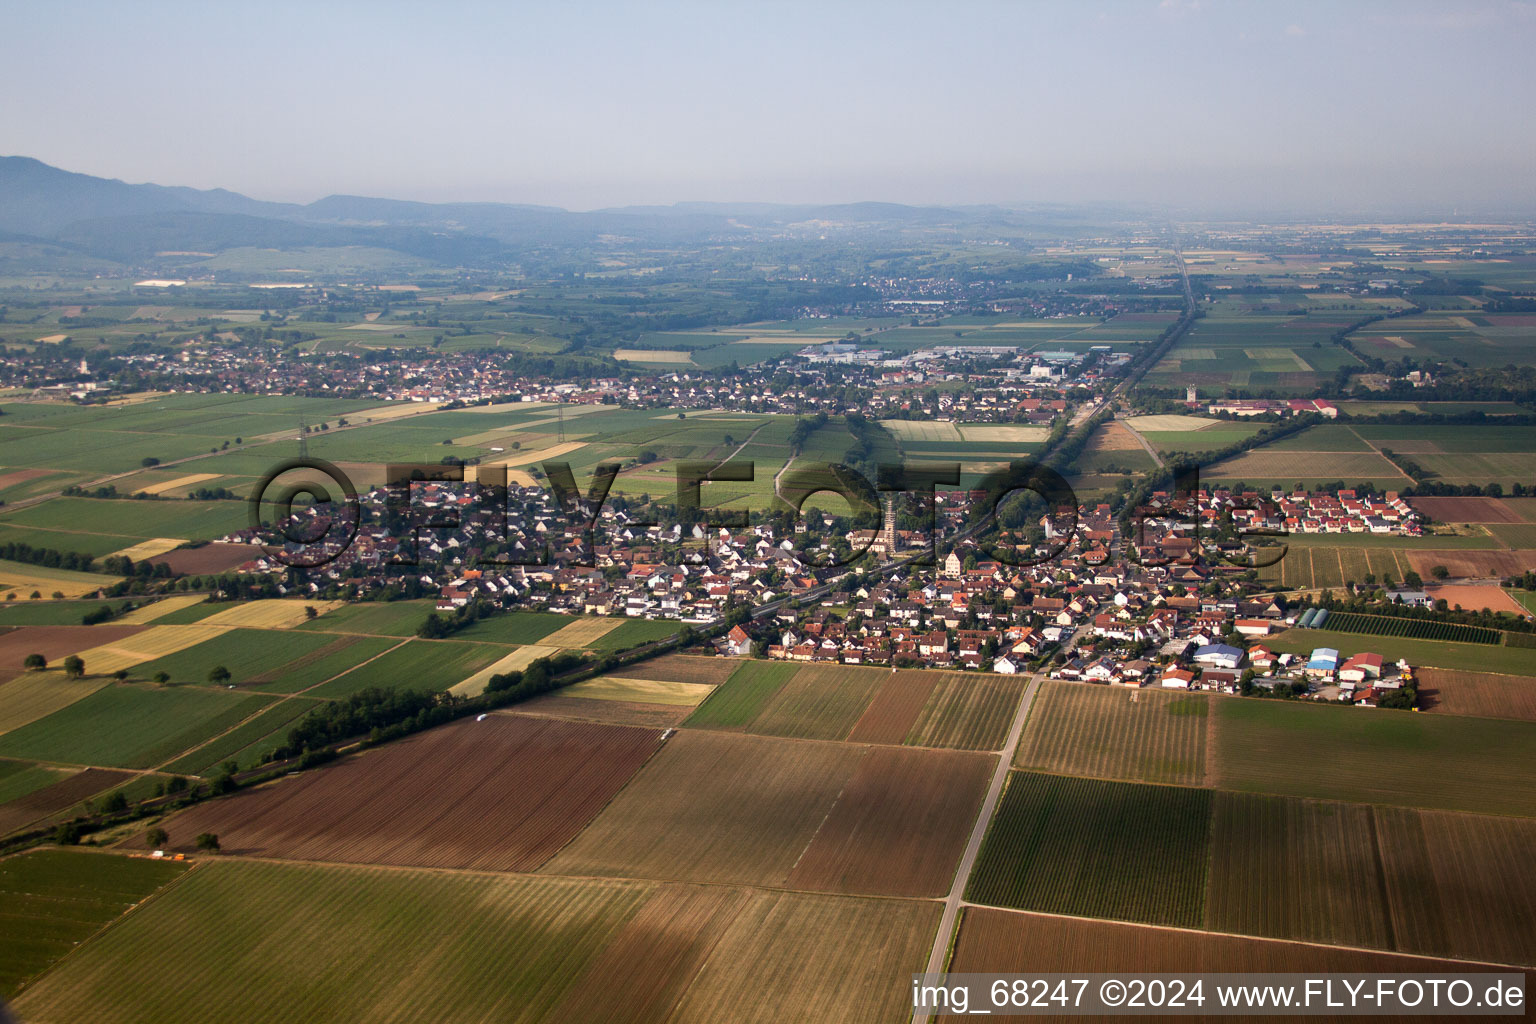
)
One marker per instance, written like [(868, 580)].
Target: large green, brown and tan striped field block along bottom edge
[(661, 951)]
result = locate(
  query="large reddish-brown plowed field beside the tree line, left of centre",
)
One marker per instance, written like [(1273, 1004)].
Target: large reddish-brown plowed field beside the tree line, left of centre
[(500, 794)]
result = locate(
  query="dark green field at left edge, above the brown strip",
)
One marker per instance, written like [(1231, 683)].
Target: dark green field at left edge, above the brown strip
[(131, 725)]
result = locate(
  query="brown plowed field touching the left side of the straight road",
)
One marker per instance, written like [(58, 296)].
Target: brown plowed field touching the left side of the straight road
[(899, 825)]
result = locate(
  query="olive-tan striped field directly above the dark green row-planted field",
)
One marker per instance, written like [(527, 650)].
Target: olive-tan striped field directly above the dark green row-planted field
[(1113, 733)]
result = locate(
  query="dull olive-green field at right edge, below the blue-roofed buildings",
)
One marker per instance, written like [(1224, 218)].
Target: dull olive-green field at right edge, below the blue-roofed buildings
[(1377, 756)]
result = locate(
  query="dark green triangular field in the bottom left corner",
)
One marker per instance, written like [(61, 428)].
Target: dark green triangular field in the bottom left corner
[(58, 899)]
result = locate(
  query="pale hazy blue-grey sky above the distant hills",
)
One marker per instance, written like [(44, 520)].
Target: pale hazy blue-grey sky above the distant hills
[(1187, 102)]
